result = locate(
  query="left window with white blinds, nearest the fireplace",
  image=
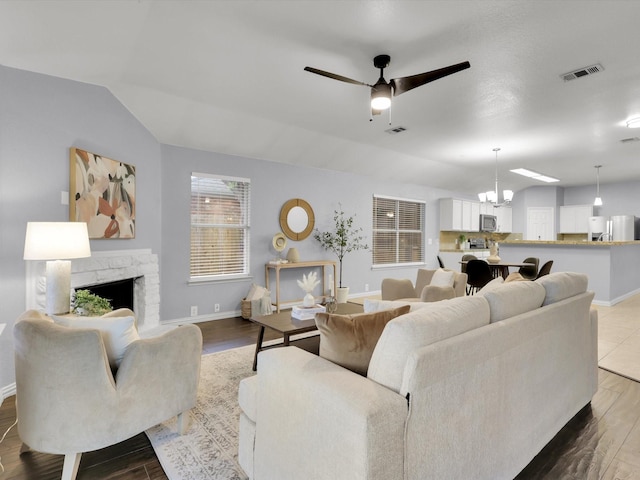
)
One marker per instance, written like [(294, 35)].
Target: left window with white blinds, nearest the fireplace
[(219, 227)]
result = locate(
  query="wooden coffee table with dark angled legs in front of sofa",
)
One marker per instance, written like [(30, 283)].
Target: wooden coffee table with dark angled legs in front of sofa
[(287, 326)]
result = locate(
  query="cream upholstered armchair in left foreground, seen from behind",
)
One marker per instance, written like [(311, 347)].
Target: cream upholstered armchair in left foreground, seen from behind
[(69, 401)]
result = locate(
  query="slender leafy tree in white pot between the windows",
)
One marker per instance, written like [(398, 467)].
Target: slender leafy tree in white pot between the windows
[(342, 239)]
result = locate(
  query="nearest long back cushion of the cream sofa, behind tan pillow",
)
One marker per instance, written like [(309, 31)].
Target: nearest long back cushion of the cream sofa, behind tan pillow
[(435, 322)]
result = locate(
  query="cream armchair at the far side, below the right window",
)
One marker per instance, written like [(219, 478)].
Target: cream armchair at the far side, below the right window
[(396, 289)]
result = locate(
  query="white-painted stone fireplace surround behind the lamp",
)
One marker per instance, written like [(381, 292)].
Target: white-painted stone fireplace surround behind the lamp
[(106, 267)]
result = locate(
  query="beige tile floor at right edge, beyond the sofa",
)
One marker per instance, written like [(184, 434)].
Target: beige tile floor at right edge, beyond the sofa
[(619, 337)]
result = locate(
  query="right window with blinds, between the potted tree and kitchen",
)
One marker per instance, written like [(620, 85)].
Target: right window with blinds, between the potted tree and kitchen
[(398, 231)]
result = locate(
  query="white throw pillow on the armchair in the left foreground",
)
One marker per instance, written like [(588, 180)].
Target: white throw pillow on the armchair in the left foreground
[(117, 333)]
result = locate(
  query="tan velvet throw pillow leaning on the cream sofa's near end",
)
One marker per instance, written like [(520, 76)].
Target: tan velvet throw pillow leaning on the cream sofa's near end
[(349, 340)]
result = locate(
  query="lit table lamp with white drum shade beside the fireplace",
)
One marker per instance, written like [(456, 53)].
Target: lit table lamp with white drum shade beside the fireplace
[(57, 242)]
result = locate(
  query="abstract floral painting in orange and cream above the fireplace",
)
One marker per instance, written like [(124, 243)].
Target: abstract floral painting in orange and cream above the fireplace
[(102, 193)]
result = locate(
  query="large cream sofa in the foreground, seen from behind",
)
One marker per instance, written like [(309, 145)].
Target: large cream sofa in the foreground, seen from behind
[(468, 388)]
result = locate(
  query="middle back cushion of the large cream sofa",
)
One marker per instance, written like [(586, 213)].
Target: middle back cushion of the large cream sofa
[(513, 298)]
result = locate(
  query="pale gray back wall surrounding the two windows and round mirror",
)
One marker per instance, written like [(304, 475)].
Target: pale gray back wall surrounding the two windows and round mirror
[(272, 184)]
